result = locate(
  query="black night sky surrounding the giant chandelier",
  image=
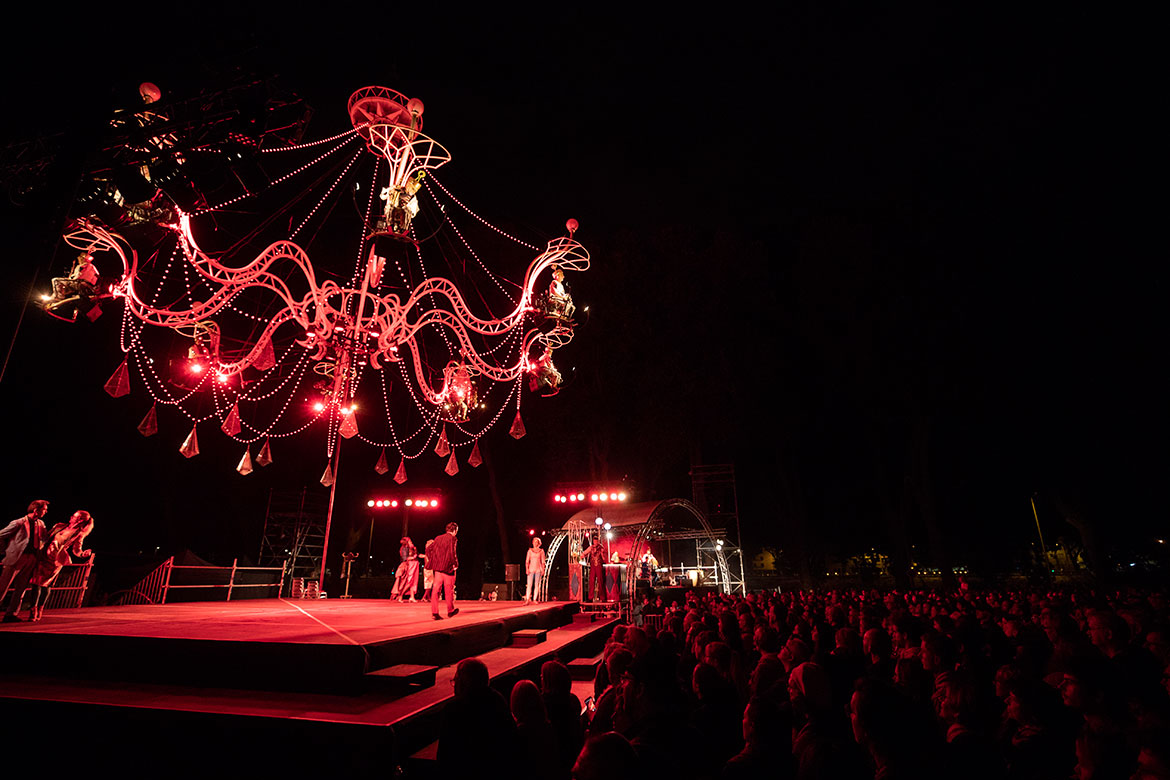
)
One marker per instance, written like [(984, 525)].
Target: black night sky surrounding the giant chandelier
[(884, 263)]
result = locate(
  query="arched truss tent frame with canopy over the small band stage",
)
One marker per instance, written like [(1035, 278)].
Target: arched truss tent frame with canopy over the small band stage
[(648, 520)]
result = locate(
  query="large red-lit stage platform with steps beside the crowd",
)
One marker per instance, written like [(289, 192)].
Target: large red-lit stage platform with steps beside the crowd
[(226, 675)]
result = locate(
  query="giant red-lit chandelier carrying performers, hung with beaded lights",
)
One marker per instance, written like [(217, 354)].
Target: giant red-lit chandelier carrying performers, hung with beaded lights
[(266, 343)]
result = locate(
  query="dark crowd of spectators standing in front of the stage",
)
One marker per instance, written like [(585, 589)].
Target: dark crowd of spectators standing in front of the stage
[(846, 685)]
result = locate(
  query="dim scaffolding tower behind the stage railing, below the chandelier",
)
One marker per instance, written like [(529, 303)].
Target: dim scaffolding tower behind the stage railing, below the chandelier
[(295, 531)]
